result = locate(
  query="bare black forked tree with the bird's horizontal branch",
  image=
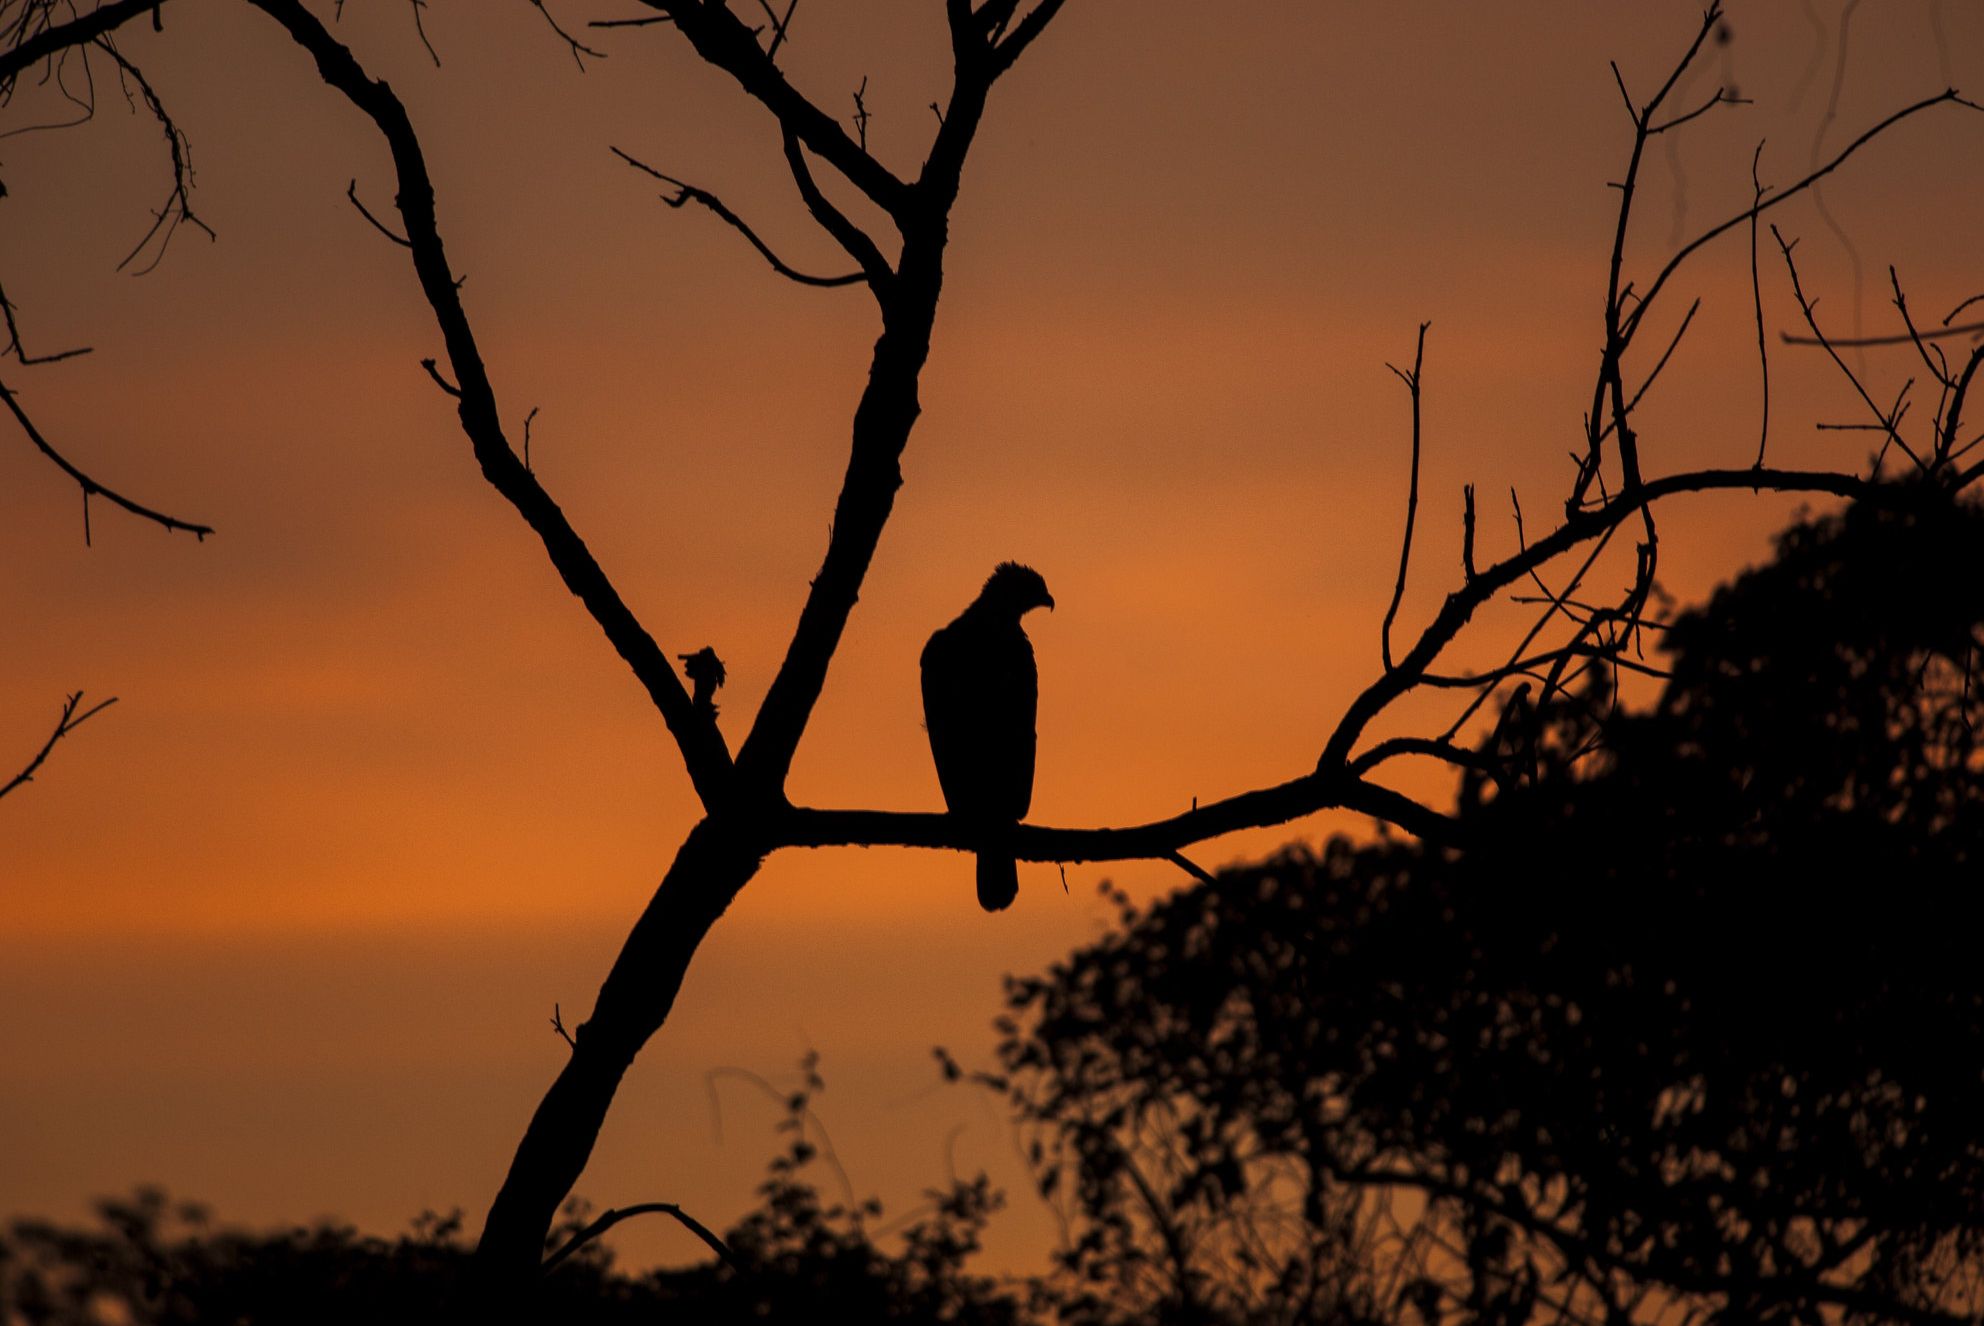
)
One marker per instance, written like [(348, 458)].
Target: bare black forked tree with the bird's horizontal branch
[(900, 257)]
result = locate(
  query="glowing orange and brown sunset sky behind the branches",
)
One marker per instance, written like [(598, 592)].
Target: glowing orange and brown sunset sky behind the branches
[(285, 928)]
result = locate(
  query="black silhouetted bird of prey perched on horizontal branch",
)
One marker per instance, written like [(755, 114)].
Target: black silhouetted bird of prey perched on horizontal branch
[(979, 698)]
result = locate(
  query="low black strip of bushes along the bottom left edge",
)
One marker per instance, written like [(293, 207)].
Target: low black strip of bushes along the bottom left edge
[(797, 1258)]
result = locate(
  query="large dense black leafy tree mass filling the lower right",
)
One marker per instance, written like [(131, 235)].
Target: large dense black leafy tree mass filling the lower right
[(1691, 1025)]
